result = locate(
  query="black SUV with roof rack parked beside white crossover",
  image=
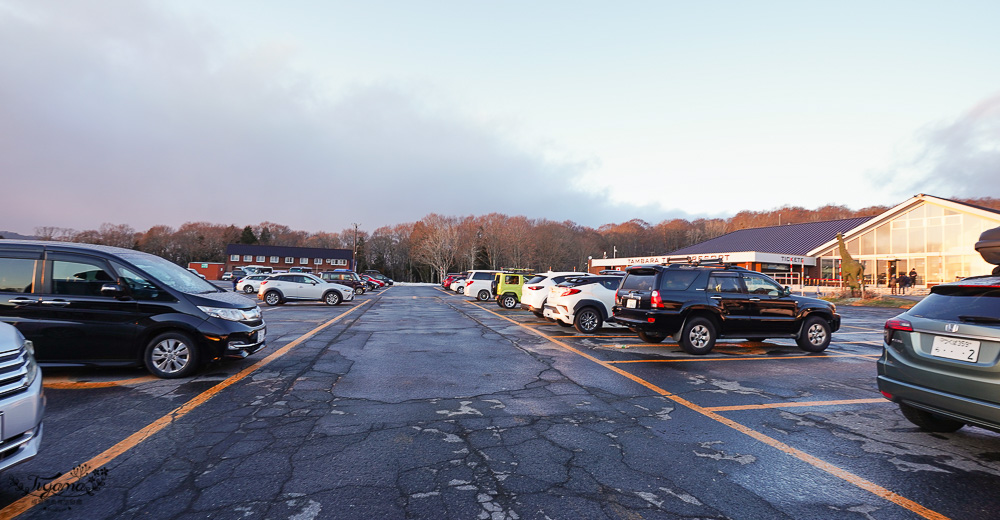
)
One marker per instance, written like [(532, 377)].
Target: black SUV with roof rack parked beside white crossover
[(697, 303)]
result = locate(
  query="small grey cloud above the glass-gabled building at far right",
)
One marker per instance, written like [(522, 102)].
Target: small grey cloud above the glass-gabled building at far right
[(960, 158)]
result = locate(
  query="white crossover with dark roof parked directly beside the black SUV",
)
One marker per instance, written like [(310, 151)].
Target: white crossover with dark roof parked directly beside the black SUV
[(583, 302)]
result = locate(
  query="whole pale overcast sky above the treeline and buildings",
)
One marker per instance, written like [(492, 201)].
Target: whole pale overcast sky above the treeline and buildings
[(320, 114)]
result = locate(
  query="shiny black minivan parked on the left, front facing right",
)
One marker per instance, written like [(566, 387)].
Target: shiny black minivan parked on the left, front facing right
[(84, 304)]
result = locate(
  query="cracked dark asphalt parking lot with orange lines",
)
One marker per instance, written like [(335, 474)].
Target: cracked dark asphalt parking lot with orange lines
[(414, 402)]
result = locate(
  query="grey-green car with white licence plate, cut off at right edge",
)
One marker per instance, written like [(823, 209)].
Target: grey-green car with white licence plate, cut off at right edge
[(941, 359)]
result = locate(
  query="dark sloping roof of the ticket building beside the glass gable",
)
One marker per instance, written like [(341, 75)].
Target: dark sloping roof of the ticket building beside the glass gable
[(793, 239)]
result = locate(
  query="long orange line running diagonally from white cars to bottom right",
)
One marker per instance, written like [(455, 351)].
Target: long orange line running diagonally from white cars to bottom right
[(816, 462)]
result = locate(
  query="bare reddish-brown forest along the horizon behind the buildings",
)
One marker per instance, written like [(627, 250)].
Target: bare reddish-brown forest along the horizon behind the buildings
[(437, 244)]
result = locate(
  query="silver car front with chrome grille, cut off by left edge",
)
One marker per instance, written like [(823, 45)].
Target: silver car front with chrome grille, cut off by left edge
[(22, 402)]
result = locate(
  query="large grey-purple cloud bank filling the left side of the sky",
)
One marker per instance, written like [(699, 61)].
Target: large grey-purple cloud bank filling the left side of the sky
[(128, 114)]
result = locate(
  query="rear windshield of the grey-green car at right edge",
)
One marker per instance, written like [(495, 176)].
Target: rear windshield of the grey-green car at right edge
[(957, 303)]
